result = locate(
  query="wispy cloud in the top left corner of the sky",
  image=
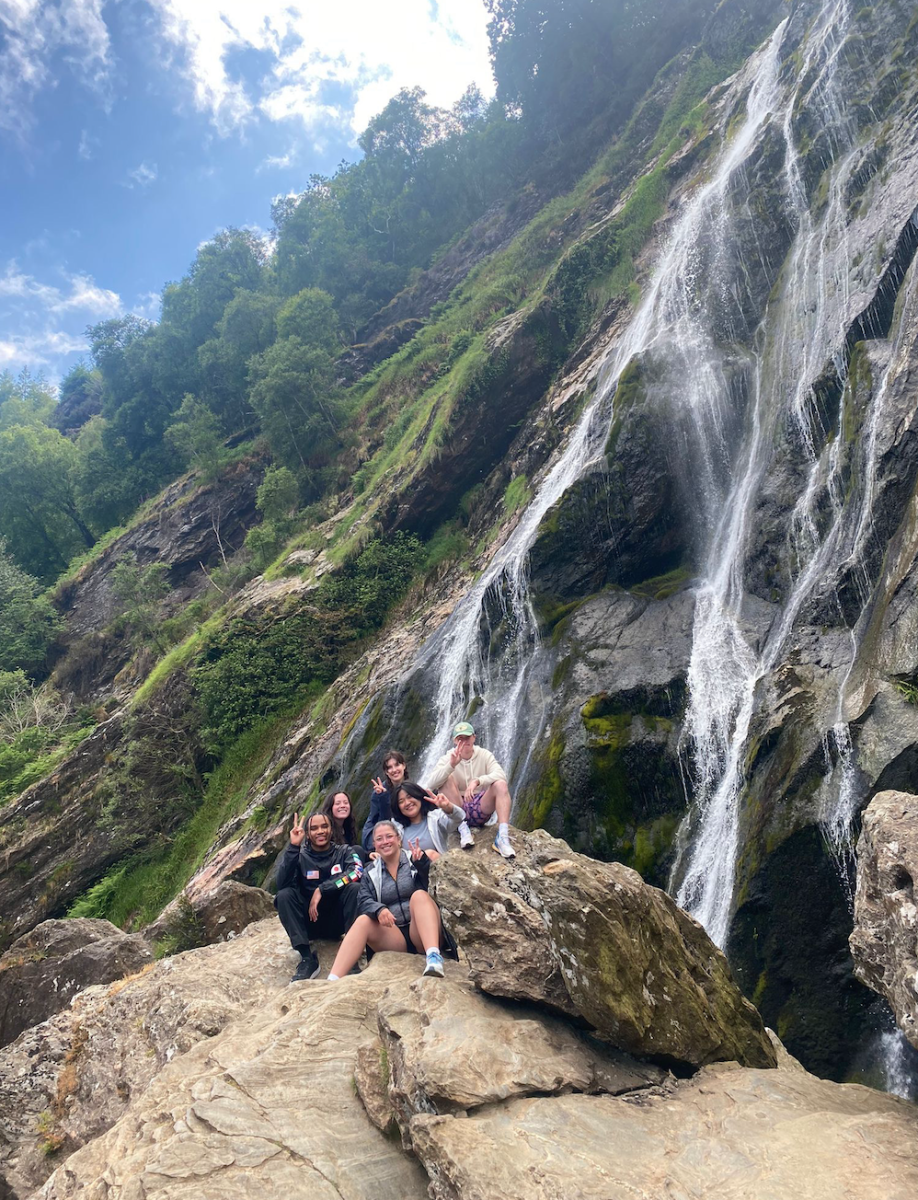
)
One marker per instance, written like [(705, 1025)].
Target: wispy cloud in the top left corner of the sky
[(35, 33)]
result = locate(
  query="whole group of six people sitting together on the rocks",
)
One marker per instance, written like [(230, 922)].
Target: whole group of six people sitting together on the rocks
[(376, 893)]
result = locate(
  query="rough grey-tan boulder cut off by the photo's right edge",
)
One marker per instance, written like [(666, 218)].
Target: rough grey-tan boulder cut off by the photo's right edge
[(885, 939)]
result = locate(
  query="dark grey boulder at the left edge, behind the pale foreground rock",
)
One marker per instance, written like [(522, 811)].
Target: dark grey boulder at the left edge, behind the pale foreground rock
[(45, 969)]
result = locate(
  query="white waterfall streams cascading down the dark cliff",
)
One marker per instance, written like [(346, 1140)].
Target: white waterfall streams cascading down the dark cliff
[(729, 404)]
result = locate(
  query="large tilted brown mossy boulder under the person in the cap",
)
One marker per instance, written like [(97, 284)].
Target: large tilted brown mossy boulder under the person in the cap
[(634, 965)]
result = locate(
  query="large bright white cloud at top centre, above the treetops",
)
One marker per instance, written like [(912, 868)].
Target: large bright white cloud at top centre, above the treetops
[(365, 45)]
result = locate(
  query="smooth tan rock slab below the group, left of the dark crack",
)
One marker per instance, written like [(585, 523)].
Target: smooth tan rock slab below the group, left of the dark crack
[(268, 1108)]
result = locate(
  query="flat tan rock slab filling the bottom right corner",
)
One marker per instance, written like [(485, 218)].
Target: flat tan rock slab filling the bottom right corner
[(728, 1135)]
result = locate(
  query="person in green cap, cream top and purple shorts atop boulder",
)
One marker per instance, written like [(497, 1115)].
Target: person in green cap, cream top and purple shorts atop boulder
[(475, 781)]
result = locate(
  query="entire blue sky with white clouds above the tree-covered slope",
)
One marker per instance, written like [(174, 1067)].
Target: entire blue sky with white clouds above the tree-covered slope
[(133, 130)]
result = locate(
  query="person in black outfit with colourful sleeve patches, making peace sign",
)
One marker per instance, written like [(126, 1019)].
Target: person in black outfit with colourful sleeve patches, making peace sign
[(317, 893)]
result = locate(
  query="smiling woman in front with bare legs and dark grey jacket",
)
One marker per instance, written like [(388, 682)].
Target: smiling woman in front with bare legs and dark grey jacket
[(395, 911)]
